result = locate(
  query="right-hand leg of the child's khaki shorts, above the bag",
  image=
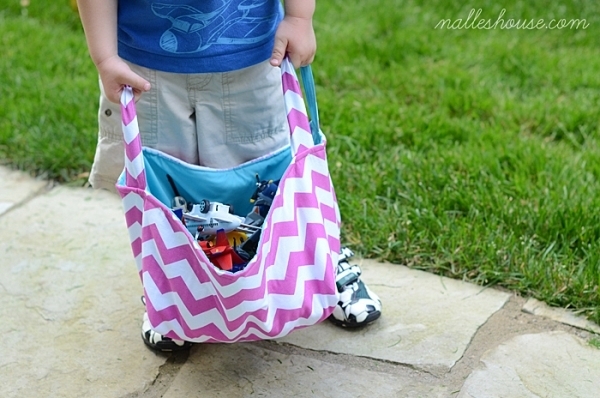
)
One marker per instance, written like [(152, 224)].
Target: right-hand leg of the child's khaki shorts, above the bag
[(240, 115)]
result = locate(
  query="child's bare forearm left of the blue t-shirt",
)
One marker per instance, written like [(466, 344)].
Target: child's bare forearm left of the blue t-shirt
[(99, 20)]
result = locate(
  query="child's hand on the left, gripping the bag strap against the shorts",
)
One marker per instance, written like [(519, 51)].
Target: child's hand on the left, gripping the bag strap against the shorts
[(115, 74)]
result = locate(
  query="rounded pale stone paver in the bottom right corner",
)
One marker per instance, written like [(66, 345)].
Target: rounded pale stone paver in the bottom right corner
[(550, 365)]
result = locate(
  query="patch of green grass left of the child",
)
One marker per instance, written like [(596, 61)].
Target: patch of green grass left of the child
[(48, 91)]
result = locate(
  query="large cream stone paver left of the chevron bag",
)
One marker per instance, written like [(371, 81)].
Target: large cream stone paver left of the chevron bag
[(69, 301)]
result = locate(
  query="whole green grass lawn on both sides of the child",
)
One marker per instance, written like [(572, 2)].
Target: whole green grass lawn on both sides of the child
[(468, 153)]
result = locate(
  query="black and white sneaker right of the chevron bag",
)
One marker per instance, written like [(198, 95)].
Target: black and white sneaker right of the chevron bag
[(357, 304)]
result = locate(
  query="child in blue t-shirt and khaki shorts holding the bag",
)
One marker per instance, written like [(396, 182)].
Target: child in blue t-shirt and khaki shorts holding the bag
[(211, 93)]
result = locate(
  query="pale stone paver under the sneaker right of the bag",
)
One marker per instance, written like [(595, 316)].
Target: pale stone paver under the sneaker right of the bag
[(428, 323)]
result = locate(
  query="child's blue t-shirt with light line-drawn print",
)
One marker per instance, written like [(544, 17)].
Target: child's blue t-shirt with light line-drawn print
[(197, 36)]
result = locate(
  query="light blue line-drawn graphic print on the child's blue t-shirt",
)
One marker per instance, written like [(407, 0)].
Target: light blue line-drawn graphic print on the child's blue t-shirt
[(231, 22)]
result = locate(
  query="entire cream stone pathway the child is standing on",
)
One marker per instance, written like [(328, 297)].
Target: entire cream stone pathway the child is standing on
[(70, 314)]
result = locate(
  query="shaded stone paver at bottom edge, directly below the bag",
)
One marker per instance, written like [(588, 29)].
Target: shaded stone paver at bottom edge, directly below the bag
[(246, 370)]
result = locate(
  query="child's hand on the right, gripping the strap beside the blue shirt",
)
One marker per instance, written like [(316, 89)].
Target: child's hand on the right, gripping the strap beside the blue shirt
[(296, 37)]
